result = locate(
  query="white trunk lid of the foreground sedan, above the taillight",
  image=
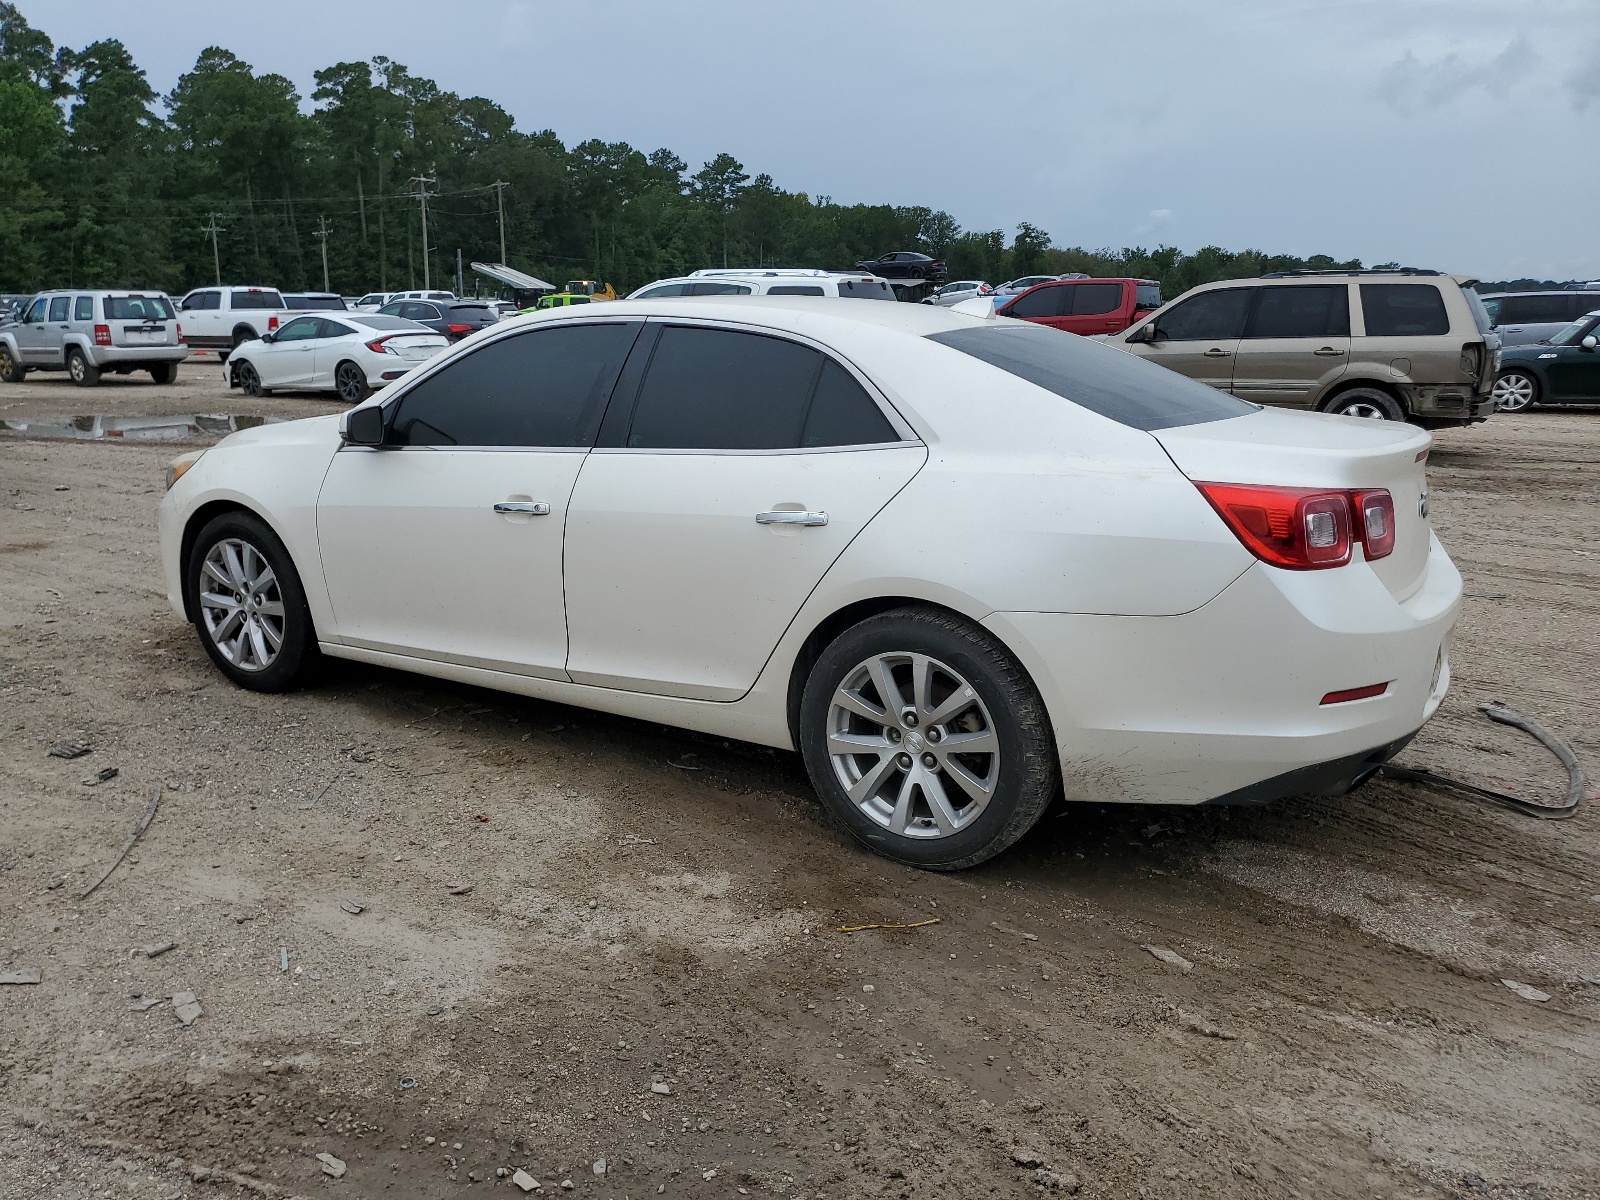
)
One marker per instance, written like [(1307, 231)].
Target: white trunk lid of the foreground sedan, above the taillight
[(1314, 450)]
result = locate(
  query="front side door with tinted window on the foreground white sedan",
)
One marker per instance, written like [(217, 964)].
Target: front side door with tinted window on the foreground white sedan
[(447, 543)]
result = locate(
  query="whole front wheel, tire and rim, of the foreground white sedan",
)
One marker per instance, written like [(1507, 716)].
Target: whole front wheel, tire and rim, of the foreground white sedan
[(249, 604)]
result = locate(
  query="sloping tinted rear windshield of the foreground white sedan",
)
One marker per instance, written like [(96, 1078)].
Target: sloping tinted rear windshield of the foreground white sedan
[(1103, 380)]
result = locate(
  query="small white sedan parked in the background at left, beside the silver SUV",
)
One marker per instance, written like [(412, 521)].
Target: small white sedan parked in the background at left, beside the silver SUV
[(353, 354)]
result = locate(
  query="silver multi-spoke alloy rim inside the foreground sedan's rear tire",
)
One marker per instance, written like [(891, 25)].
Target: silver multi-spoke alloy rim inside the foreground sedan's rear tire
[(913, 745)]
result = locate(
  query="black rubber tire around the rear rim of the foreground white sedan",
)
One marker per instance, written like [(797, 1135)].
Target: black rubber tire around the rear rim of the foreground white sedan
[(1025, 782)]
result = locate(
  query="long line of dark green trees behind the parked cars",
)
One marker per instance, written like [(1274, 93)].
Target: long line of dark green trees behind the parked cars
[(105, 183)]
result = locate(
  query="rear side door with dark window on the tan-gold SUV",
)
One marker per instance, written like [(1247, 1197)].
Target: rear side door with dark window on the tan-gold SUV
[(1297, 343)]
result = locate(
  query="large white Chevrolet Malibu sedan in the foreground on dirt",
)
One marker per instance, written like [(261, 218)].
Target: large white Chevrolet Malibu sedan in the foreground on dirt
[(961, 564)]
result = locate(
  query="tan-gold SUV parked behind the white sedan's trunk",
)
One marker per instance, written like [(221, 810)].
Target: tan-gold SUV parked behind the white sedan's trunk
[(1391, 345)]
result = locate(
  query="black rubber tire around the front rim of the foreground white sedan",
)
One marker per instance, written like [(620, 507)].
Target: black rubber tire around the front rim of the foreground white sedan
[(297, 657)]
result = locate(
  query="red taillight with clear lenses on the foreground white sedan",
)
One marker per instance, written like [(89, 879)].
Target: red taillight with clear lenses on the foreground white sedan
[(1305, 529)]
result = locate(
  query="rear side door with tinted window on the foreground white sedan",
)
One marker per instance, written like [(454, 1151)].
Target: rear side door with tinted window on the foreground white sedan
[(743, 471)]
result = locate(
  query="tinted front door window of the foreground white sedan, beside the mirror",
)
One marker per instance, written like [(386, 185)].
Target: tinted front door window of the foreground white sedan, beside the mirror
[(537, 390)]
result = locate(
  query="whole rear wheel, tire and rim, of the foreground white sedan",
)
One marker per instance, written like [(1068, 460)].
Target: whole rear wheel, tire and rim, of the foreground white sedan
[(927, 740)]
